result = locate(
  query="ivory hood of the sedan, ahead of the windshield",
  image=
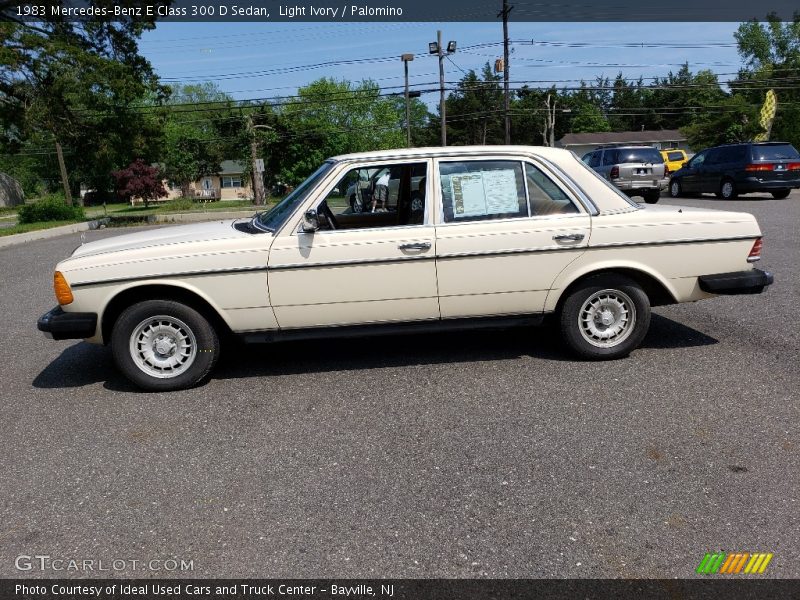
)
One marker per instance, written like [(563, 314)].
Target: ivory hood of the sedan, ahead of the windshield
[(165, 236)]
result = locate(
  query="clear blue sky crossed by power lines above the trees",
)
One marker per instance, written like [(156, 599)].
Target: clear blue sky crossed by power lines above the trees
[(259, 60)]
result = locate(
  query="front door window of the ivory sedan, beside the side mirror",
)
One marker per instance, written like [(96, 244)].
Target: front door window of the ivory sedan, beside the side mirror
[(376, 196)]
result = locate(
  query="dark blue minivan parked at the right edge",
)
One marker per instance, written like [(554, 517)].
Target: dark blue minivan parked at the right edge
[(734, 169)]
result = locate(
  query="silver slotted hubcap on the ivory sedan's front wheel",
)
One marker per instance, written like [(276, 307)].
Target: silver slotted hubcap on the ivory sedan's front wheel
[(163, 346)]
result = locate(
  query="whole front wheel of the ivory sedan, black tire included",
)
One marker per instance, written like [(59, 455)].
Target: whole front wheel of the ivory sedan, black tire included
[(172, 333)]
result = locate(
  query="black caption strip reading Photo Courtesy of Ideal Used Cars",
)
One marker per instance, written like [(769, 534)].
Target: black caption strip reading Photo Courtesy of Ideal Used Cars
[(411, 589)]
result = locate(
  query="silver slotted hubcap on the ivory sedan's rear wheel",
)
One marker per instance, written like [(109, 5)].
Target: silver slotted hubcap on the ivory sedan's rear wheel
[(607, 318)]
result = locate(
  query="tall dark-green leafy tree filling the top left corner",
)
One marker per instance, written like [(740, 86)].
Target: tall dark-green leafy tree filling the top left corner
[(76, 85)]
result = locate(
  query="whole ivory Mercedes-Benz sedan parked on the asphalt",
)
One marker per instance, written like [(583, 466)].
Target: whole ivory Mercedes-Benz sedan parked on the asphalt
[(442, 237)]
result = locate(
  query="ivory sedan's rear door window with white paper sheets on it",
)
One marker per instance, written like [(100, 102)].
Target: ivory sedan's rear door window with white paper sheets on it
[(482, 190)]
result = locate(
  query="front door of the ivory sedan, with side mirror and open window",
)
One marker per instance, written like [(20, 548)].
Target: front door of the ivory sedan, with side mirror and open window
[(373, 266)]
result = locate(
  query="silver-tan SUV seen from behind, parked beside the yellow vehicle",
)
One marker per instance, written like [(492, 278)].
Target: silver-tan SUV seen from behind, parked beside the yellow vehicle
[(635, 170)]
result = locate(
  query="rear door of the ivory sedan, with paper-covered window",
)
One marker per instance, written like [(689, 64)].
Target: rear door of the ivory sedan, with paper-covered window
[(496, 252)]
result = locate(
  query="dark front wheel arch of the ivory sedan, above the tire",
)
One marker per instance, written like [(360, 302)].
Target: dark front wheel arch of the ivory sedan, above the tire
[(160, 291)]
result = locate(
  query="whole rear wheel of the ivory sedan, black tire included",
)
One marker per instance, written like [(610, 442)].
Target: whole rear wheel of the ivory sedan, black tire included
[(605, 296)]
